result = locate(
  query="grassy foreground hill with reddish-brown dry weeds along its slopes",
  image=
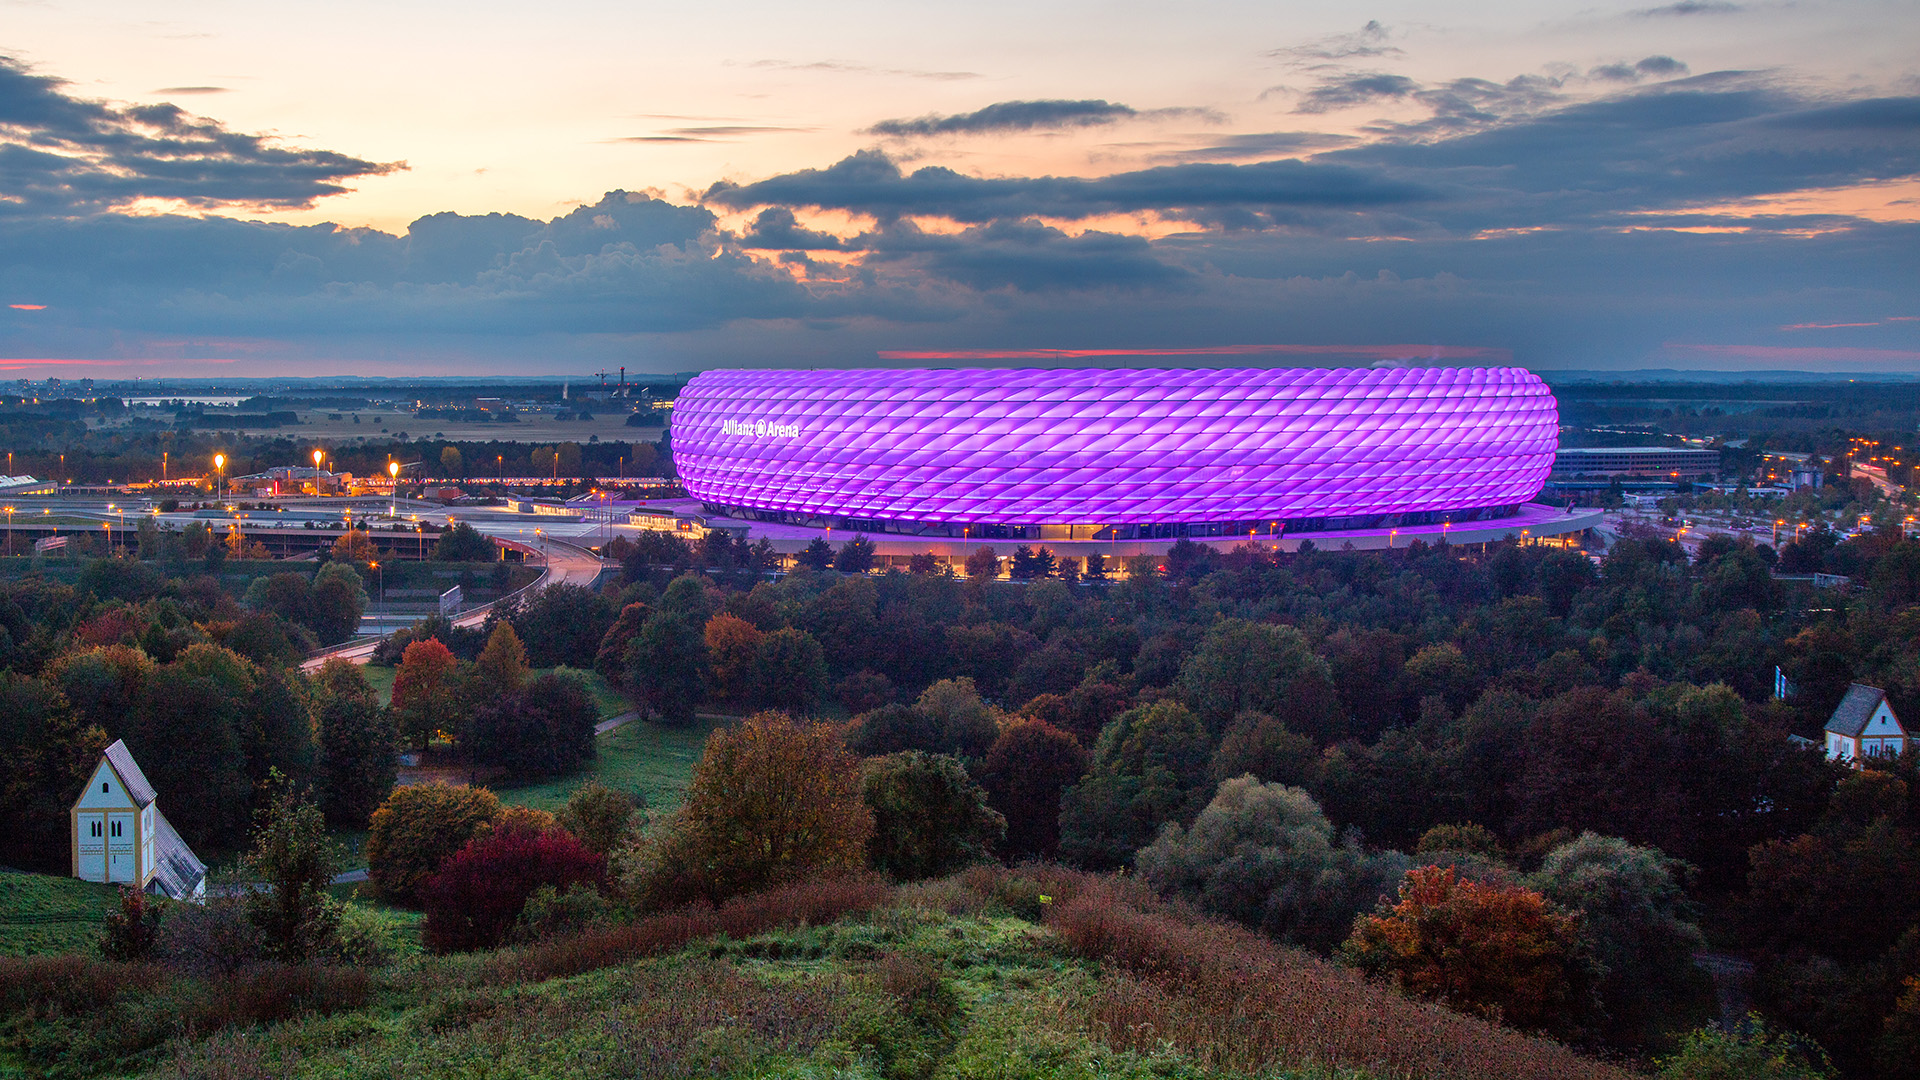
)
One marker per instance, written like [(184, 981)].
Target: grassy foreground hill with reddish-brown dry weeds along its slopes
[(1034, 973)]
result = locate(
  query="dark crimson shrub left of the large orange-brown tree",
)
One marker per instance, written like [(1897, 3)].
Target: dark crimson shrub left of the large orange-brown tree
[(479, 893)]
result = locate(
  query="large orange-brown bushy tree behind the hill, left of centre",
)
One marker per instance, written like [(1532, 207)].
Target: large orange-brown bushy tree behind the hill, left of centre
[(771, 802)]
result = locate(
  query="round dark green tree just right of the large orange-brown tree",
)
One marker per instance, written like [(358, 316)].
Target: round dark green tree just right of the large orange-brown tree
[(930, 818)]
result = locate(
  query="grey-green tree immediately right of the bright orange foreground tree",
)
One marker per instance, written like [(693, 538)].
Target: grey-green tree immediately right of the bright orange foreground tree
[(1643, 931)]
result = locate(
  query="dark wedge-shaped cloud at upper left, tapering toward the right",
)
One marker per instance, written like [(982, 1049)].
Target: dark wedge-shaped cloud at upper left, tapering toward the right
[(64, 155)]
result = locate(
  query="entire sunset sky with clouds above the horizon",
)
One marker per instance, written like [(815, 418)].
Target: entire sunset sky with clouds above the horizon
[(416, 189)]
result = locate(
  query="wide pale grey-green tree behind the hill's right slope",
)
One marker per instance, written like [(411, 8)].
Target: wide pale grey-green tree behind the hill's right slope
[(1266, 856)]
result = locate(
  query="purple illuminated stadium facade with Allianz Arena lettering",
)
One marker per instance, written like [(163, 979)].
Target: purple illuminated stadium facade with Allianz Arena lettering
[(1130, 453)]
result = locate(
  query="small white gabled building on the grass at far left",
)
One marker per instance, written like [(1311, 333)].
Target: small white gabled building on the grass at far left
[(122, 837)]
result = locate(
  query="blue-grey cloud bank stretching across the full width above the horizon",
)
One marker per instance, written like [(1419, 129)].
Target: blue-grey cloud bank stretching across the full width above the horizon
[(1512, 218)]
